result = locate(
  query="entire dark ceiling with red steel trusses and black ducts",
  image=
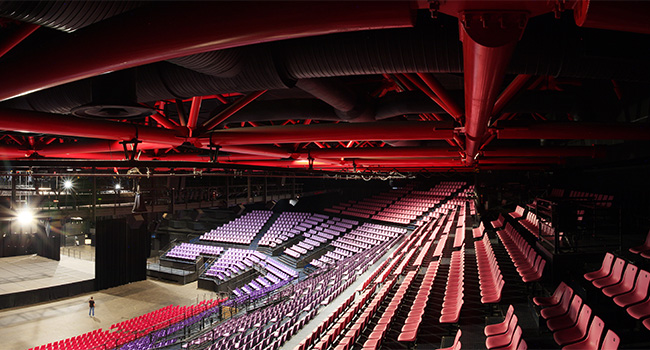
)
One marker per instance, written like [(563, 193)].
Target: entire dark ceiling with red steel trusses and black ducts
[(406, 86)]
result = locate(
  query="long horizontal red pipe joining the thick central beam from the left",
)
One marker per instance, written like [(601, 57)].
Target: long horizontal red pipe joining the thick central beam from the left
[(334, 133)]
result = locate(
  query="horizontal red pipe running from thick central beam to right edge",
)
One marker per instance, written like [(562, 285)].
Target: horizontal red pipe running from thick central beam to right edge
[(575, 131)]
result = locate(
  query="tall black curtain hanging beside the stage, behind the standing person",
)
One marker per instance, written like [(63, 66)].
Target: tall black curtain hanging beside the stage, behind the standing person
[(122, 247)]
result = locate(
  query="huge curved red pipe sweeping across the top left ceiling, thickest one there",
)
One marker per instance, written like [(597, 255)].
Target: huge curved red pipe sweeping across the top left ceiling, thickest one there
[(135, 39)]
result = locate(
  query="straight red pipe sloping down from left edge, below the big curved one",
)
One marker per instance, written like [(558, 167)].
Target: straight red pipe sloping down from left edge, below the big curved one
[(65, 125)]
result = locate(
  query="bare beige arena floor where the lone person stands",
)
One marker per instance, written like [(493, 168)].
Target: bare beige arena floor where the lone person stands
[(30, 326)]
